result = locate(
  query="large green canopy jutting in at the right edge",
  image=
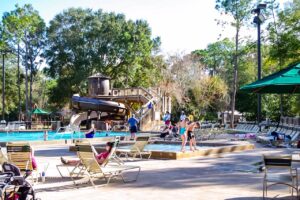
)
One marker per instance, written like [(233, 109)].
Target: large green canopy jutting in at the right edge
[(282, 82)]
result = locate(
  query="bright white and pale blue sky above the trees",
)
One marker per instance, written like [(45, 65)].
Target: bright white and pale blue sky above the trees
[(182, 25)]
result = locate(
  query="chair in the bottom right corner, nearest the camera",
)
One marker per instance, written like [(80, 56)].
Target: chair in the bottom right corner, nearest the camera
[(287, 176)]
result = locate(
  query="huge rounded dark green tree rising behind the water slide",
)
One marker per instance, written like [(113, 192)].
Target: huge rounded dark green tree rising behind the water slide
[(82, 42)]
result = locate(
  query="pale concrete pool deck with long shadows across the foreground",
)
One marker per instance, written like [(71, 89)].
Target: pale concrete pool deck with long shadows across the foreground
[(229, 176)]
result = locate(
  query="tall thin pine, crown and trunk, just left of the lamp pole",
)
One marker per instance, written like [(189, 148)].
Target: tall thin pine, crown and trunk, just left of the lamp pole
[(240, 11)]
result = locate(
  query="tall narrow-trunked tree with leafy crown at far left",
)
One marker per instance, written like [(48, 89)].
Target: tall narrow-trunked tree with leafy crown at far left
[(24, 31)]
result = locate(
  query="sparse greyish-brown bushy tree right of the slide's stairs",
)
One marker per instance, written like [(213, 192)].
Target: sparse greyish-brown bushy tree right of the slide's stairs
[(185, 79)]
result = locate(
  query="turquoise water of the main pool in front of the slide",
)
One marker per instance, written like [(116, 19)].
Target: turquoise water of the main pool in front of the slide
[(52, 135)]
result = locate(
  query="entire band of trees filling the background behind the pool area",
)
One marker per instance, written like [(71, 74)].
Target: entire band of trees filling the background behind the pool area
[(80, 42)]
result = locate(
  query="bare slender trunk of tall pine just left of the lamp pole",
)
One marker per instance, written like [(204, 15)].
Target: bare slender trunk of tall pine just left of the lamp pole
[(235, 77)]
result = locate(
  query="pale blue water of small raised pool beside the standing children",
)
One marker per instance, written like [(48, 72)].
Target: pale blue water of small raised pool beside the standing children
[(166, 147)]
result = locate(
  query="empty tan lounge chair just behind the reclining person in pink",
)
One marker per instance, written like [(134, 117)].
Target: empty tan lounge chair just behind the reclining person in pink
[(137, 149)]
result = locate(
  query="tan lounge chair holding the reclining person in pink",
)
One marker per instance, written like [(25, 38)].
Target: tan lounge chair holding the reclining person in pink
[(92, 169)]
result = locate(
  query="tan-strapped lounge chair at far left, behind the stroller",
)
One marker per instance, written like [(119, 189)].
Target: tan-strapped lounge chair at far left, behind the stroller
[(20, 154)]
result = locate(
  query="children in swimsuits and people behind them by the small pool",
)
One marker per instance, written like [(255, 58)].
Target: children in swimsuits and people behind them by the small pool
[(184, 128)]
